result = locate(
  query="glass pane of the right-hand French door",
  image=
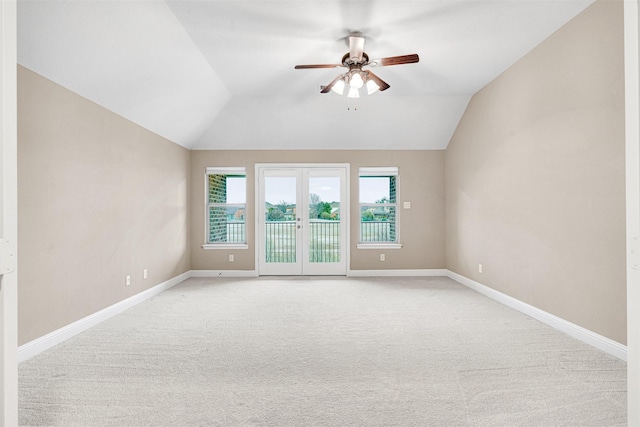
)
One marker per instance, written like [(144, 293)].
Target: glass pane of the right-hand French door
[(324, 219)]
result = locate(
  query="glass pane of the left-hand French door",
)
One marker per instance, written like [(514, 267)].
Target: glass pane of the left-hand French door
[(280, 219)]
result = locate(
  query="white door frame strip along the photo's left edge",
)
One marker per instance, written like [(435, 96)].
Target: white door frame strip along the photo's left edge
[(8, 216)]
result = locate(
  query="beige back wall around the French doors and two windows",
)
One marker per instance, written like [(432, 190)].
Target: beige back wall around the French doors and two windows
[(421, 182)]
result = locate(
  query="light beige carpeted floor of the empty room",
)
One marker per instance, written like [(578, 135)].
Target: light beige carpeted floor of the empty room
[(322, 352)]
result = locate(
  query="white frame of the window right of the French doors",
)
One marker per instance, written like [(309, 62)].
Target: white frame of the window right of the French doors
[(372, 172)]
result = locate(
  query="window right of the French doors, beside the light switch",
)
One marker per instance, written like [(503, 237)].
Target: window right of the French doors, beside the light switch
[(378, 206)]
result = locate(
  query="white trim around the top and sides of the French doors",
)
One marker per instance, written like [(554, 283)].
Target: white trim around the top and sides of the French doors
[(347, 202)]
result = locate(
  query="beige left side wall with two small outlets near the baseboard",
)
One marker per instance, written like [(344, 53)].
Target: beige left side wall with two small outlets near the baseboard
[(99, 198)]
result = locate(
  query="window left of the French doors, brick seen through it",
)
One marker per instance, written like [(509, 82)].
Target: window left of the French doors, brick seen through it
[(226, 196)]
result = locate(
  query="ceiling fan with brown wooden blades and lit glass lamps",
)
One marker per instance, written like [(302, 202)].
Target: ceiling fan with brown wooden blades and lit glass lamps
[(356, 77)]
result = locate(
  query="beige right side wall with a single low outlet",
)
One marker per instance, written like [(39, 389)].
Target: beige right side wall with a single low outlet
[(535, 186)]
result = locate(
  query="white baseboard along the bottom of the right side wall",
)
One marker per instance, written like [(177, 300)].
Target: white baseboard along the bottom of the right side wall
[(598, 341)]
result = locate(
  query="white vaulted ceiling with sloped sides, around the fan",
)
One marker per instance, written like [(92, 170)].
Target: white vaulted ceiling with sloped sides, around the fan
[(219, 74)]
